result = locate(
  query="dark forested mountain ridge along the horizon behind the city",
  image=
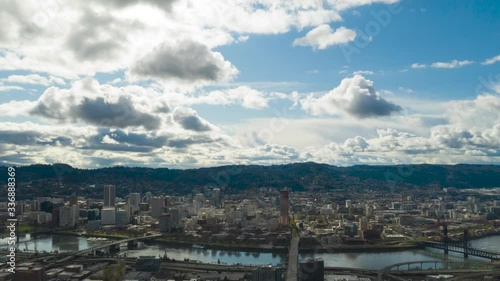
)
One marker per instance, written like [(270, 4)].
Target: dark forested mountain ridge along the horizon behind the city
[(297, 176)]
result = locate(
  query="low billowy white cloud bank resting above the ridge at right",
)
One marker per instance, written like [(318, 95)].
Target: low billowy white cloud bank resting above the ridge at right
[(446, 144)]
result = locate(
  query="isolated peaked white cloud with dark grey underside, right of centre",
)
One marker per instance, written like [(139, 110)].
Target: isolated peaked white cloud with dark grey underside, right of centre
[(355, 96)]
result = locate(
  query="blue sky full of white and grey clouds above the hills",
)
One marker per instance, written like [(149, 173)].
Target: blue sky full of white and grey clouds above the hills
[(198, 83)]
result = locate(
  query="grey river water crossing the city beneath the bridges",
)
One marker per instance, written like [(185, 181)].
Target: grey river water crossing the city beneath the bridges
[(357, 260)]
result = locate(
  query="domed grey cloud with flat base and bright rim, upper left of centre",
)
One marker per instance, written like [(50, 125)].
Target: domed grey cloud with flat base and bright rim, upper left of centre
[(188, 61)]
